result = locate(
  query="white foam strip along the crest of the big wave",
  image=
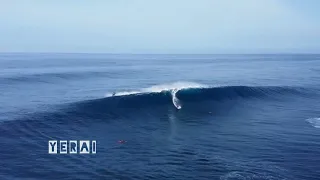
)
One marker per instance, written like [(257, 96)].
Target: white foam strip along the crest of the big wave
[(160, 88)]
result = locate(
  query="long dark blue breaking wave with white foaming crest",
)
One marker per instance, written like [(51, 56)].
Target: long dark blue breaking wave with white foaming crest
[(190, 97)]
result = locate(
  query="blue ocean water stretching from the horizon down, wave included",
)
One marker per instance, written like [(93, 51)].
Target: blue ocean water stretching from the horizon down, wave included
[(241, 116)]
